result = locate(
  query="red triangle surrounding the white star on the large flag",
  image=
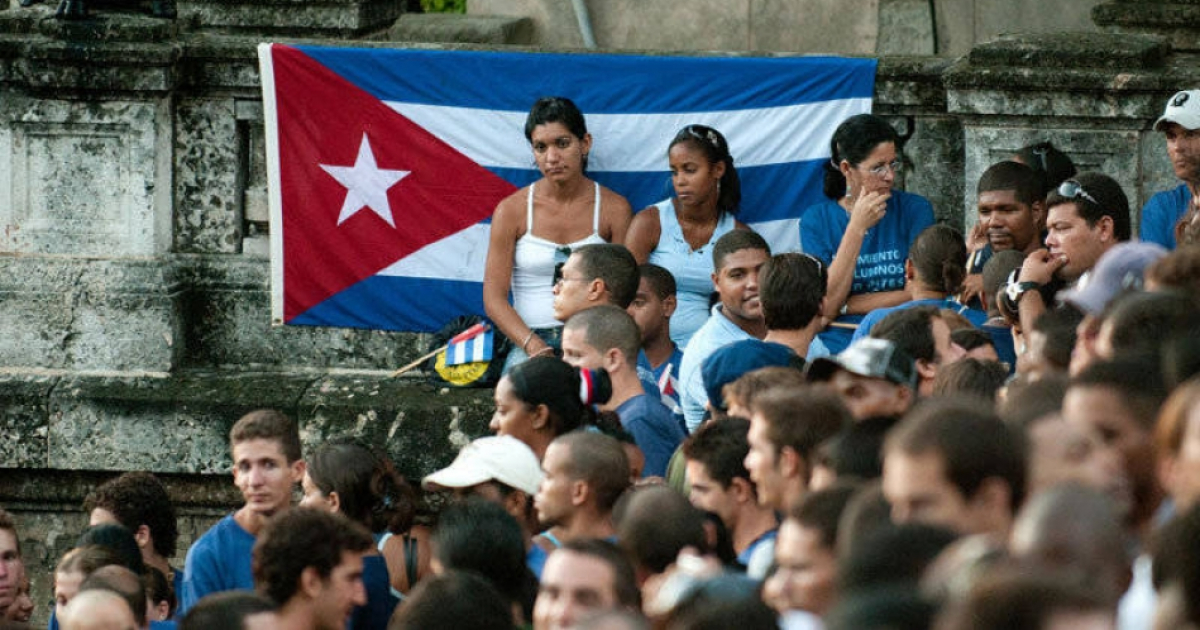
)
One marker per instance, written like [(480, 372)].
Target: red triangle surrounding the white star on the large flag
[(322, 122)]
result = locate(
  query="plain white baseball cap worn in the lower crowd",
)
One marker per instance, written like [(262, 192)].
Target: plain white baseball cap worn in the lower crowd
[(502, 459)]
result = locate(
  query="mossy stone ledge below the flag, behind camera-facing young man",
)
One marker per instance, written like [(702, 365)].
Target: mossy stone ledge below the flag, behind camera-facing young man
[(181, 423)]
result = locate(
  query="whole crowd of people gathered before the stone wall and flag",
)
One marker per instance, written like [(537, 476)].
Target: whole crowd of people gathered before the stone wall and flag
[(903, 428)]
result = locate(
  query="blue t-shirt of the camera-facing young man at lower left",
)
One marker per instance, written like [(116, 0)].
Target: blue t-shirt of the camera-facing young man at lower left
[(219, 561)]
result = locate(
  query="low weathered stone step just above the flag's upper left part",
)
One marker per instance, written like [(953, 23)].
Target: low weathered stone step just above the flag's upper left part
[(449, 28)]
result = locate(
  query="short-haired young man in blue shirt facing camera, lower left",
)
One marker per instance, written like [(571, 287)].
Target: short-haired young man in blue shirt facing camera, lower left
[(267, 466)]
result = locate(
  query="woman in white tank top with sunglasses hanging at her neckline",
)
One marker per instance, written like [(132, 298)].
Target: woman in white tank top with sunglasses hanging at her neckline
[(535, 230)]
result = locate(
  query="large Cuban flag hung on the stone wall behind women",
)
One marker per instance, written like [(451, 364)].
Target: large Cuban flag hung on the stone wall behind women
[(385, 166)]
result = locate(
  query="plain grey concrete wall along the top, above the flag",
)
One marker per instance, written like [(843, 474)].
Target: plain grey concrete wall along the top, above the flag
[(839, 27)]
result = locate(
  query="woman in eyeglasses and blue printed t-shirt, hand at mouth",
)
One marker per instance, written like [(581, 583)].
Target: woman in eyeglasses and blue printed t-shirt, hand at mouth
[(865, 232)]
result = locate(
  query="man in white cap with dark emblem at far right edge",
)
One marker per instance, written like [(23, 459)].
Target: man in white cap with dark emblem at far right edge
[(1165, 212)]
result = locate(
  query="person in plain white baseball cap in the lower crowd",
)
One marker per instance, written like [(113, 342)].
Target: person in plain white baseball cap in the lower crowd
[(502, 470)]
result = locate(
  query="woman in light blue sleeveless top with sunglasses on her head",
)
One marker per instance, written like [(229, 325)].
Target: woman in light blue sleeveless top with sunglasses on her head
[(679, 233)]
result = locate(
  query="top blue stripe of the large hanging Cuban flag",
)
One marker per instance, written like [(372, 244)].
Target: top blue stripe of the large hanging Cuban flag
[(598, 83)]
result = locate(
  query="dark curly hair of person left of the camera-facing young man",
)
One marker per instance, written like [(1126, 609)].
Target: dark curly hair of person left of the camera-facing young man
[(140, 500)]
